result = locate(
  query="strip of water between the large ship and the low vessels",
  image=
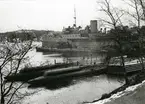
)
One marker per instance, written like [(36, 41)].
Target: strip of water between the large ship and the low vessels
[(38, 58)]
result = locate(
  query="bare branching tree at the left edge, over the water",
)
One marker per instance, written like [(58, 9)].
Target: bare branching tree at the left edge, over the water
[(12, 56)]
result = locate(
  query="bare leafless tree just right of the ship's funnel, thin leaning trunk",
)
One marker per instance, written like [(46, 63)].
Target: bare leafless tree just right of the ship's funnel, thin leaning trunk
[(114, 20)]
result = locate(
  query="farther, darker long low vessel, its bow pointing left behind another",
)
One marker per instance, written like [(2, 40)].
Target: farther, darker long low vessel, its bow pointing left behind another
[(34, 72)]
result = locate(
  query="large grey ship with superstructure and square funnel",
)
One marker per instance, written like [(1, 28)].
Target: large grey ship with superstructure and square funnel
[(89, 39)]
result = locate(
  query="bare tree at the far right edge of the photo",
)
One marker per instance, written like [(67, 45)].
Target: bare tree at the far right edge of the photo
[(138, 14)]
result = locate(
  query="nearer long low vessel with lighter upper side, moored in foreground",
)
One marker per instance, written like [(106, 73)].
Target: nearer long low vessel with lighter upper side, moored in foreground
[(88, 70)]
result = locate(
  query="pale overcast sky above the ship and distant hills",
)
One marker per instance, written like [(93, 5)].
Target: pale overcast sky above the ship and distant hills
[(45, 14)]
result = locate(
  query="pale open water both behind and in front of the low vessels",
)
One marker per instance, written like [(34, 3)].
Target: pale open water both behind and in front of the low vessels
[(80, 90)]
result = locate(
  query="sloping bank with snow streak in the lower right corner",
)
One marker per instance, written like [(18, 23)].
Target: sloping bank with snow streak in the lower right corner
[(125, 95)]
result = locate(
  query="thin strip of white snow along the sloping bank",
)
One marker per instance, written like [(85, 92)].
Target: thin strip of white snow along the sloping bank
[(120, 94)]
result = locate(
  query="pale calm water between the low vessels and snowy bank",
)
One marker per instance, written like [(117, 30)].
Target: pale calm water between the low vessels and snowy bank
[(81, 90)]
